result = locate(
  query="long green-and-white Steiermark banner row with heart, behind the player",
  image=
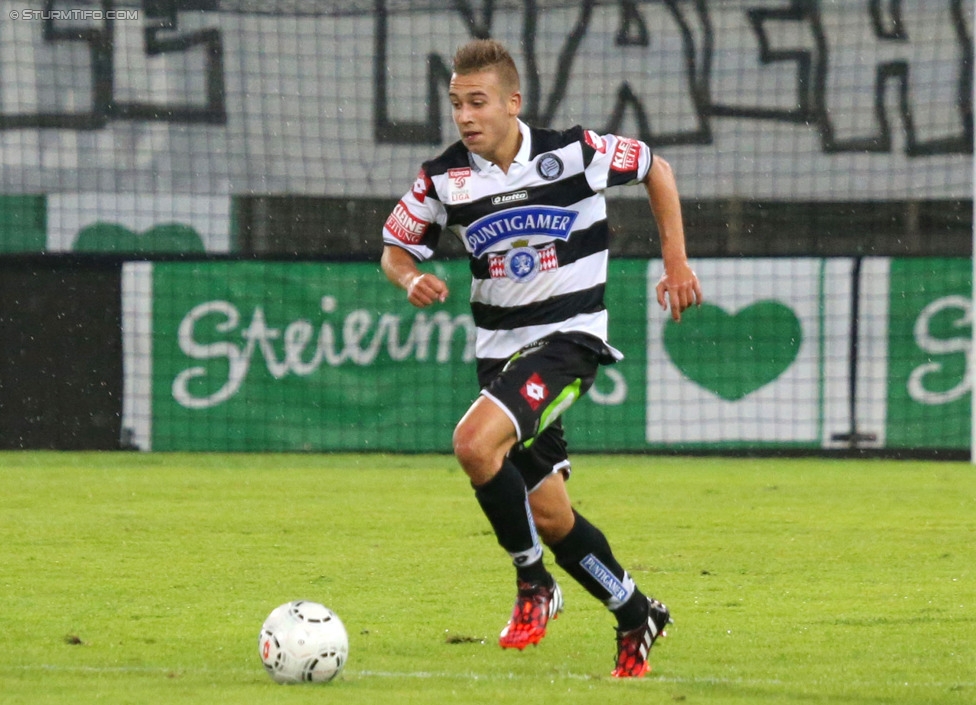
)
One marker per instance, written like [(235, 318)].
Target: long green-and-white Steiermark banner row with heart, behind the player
[(262, 356)]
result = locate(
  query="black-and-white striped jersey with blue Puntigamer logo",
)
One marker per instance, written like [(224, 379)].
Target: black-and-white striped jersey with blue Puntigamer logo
[(537, 236)]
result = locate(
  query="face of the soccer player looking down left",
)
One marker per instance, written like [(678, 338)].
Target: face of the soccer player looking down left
[(485, 114)]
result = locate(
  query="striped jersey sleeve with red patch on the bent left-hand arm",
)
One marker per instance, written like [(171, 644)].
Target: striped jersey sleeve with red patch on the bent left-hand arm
[(414, 223)]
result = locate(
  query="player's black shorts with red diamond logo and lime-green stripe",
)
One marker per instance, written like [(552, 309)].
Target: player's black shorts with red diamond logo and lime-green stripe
[(534, 388)]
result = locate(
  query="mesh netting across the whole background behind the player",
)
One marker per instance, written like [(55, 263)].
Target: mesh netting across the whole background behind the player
[(261, 145)]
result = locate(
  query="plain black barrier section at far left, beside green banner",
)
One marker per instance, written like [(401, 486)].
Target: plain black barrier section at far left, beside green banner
[(60, 354)]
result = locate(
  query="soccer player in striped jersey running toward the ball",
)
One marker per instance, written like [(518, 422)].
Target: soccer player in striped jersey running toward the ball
[(528, 205)]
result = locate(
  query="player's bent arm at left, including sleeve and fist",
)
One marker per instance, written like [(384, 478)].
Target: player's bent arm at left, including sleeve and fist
[(408, 239)]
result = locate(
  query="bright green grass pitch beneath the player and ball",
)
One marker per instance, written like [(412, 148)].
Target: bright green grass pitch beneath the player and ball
[(144, 578)]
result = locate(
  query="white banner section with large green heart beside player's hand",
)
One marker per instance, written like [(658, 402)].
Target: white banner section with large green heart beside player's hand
[(756, 364)]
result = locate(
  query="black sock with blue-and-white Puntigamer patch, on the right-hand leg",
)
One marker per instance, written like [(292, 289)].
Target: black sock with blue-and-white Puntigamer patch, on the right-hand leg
[(585, 554)]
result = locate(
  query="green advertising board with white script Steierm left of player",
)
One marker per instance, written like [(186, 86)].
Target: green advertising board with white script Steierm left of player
[(305, 356)]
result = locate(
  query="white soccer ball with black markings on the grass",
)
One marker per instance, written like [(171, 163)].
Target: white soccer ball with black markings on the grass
[(303, 642)]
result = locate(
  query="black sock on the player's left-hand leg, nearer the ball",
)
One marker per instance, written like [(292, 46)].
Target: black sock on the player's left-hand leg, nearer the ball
[(505, 502)]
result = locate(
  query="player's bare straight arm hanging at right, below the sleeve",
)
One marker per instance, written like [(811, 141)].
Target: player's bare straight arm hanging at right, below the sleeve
[(679, 285)]
